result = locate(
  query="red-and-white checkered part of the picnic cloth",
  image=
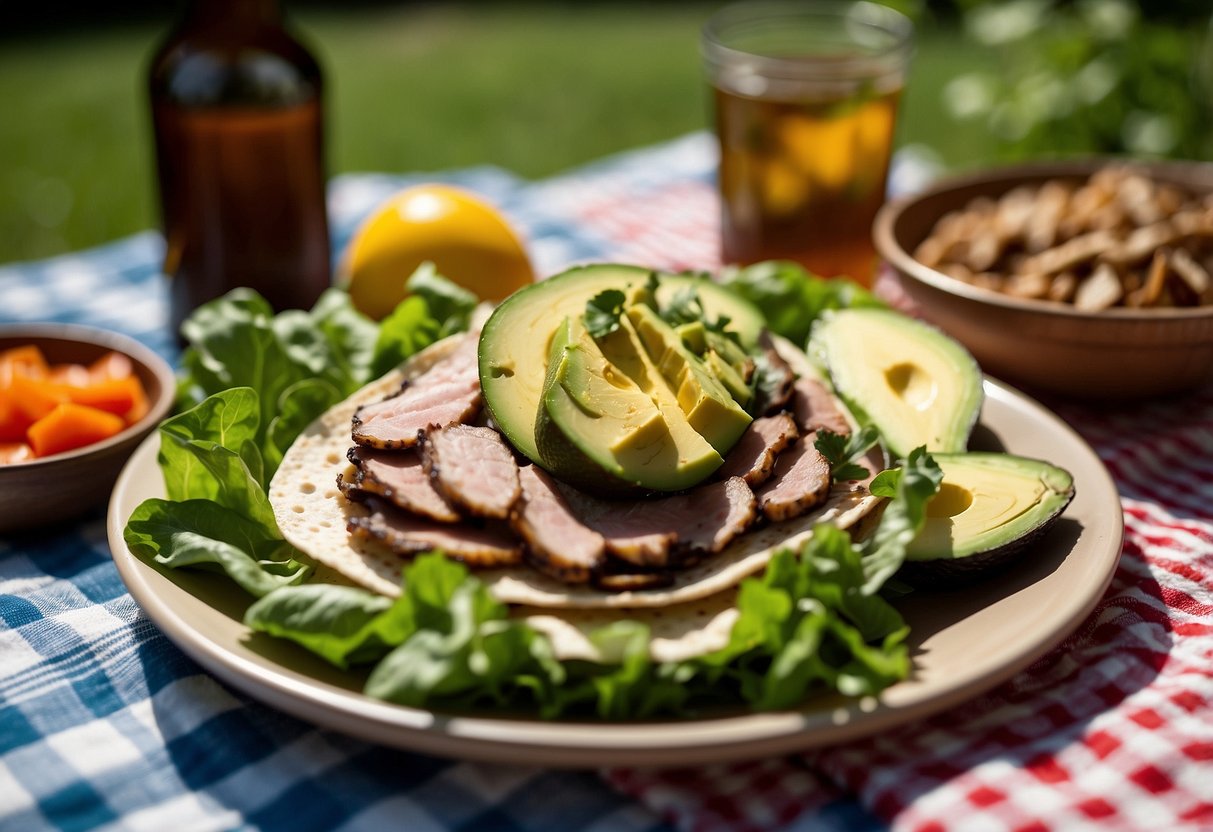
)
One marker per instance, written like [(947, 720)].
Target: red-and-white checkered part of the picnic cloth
[(1113, 730)]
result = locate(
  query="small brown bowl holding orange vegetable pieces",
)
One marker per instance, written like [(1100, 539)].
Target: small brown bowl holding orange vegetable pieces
[(65, 486)]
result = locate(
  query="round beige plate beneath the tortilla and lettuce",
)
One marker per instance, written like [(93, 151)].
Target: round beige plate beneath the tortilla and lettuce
[(963, 642)]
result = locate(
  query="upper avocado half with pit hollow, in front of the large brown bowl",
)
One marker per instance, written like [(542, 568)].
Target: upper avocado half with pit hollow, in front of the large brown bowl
[(918, 386)]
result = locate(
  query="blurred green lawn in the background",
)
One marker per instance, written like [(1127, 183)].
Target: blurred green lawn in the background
[(532, 89)]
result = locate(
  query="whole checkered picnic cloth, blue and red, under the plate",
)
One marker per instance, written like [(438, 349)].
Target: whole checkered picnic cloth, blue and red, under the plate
[(104, 723)]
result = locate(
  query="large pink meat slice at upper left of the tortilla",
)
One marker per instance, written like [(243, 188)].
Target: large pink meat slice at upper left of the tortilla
[(446, 395)]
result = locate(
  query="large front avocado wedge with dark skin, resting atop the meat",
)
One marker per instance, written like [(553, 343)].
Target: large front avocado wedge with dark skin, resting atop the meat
[(606, 412)]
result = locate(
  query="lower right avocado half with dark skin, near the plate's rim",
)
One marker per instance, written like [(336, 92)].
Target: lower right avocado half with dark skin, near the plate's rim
[(989, 508)]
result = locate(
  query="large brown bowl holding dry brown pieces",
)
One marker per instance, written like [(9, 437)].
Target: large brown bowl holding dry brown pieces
[(1052, 347)]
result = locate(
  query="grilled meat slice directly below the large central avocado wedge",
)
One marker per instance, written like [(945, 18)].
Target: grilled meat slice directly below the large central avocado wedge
[(673, 531)]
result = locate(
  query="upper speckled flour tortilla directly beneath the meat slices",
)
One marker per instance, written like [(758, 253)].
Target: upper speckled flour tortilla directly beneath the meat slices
[(314, 515)]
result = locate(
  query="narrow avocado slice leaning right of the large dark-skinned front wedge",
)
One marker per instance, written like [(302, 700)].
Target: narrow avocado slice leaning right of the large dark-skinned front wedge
[(709, 407)]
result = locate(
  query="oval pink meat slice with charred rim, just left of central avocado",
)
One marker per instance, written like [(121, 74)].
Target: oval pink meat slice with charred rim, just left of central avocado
[(474, 469)]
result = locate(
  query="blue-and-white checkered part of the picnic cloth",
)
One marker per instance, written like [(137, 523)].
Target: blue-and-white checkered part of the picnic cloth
[(106, 725)]
